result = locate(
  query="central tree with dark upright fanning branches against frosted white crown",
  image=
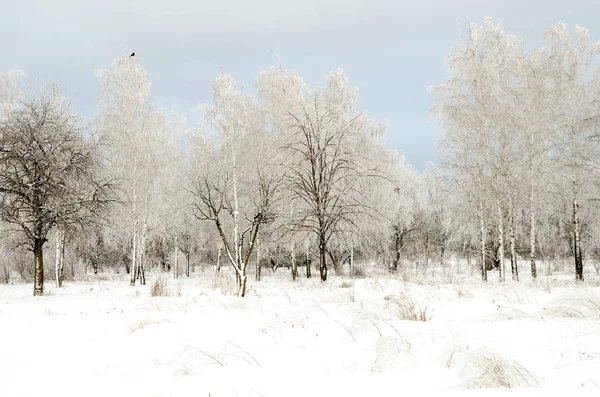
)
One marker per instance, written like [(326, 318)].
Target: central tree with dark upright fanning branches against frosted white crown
[(326, 147)]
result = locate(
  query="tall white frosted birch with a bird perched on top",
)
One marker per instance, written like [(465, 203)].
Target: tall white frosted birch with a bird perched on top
[(139, 144)]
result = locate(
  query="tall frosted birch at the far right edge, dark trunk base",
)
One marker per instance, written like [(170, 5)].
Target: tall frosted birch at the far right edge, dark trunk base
[(575, 113)]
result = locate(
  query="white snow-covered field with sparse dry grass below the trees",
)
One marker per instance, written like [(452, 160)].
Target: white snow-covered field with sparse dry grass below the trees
[(363, 337)]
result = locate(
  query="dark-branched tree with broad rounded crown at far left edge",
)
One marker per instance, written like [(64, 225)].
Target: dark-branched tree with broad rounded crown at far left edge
[(48, 173)]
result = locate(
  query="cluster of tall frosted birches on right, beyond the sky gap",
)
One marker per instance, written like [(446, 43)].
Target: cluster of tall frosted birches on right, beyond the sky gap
[(520, 142)]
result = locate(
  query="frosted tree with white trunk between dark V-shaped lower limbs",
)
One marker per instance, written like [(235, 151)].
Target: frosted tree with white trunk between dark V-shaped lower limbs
[(234, 178)]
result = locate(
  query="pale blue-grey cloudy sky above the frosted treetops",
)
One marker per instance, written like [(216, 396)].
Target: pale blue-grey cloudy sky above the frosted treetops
[(391, 50)]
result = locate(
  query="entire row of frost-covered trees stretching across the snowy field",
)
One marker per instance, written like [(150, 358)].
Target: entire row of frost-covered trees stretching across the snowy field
[(298, 174)]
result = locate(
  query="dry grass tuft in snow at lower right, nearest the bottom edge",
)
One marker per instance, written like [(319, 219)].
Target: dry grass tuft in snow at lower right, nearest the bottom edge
[(487, 369)]
